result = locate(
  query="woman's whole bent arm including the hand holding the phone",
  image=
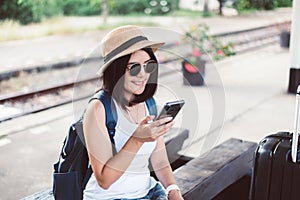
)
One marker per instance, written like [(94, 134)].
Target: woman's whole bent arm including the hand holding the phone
[(106, 167)]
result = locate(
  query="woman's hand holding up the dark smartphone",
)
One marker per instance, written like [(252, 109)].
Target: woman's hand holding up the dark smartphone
[(148, 132)]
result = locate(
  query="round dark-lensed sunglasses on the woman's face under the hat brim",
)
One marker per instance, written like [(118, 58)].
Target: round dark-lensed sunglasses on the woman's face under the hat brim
[(149, 67)]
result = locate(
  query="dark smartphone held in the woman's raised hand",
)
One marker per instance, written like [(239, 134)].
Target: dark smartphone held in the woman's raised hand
[(170, 109)]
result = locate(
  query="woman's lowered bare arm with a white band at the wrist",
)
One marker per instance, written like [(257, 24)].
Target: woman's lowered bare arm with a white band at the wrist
[(162, 168)]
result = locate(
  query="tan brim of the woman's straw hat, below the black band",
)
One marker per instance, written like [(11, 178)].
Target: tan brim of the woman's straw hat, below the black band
[(135, 47)]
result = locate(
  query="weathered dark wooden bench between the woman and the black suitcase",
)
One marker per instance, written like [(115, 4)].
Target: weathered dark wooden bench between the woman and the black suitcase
[(206, 176)]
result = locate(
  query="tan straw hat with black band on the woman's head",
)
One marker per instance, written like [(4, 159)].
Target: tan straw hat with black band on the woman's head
[(123, 41)]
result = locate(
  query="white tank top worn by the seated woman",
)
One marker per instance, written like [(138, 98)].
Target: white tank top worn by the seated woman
[(136, 180)]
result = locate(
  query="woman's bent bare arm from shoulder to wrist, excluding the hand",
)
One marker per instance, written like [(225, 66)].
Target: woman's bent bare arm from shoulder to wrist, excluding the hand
[(107, 169)]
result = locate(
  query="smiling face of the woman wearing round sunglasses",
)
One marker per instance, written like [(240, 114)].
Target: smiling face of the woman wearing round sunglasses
[(136, 84)]
